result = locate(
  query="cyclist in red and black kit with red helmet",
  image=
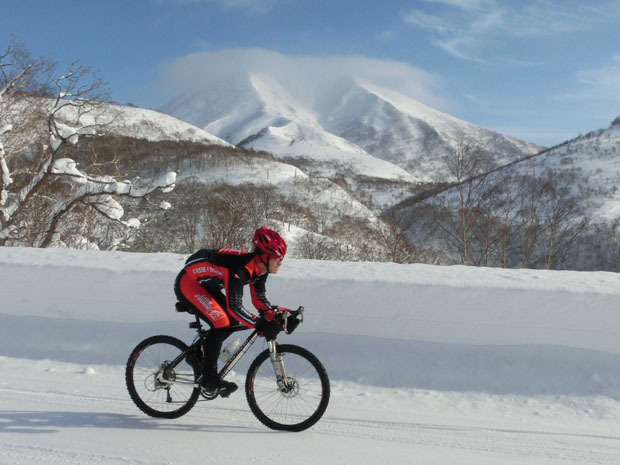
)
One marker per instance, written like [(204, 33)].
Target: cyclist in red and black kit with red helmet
[(201, 281)]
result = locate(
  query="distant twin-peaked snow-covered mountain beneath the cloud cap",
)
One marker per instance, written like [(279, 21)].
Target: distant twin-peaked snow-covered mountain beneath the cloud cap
[(352, 127)]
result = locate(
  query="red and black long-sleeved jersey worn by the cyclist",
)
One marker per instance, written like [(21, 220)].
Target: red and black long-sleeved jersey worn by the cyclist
[(229, 270)]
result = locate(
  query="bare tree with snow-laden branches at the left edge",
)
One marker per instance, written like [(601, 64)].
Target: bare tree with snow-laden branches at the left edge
[(40, 185)]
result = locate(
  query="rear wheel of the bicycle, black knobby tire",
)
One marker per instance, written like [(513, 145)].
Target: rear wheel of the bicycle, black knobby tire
[(156, 387)]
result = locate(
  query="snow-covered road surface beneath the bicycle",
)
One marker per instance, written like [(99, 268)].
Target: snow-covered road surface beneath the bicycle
[(65, 414)]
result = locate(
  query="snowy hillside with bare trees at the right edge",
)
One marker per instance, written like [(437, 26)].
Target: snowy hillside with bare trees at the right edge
[(559, 208)]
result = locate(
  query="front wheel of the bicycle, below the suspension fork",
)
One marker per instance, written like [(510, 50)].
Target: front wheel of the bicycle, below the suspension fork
[(296, 406)]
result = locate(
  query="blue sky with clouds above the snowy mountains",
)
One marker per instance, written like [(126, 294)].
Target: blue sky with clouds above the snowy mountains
[(541, 70)]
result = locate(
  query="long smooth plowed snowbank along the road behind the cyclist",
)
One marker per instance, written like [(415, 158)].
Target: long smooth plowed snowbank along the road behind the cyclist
[(444, 328)]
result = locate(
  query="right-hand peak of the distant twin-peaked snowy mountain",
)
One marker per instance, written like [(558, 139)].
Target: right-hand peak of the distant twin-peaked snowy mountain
[(412, 135)]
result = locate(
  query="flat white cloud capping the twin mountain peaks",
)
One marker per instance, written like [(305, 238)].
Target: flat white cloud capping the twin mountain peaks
[(305, 76)]
